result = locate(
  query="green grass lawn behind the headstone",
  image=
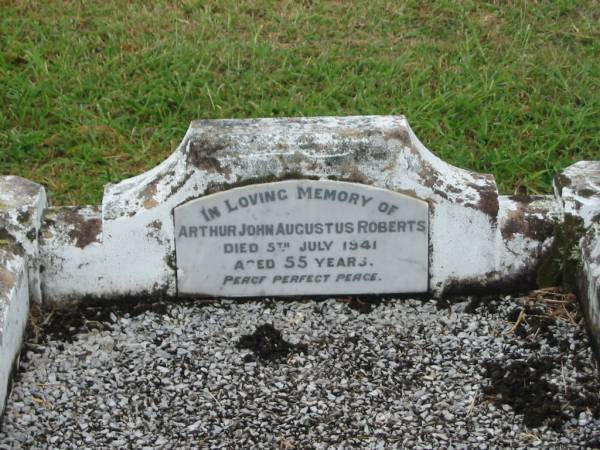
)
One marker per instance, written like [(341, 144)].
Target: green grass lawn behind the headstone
[(92, 92)]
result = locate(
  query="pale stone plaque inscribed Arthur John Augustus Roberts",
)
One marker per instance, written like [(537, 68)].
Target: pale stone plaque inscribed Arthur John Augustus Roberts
[(302, 237)]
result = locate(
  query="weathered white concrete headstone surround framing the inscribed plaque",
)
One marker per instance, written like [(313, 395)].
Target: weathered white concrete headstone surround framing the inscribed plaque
[(475, 239)]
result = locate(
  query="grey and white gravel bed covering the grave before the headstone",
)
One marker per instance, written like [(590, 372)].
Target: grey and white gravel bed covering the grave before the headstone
[(336, 373)]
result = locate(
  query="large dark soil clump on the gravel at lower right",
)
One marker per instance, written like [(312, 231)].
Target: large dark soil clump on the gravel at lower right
[(520, 384)]
